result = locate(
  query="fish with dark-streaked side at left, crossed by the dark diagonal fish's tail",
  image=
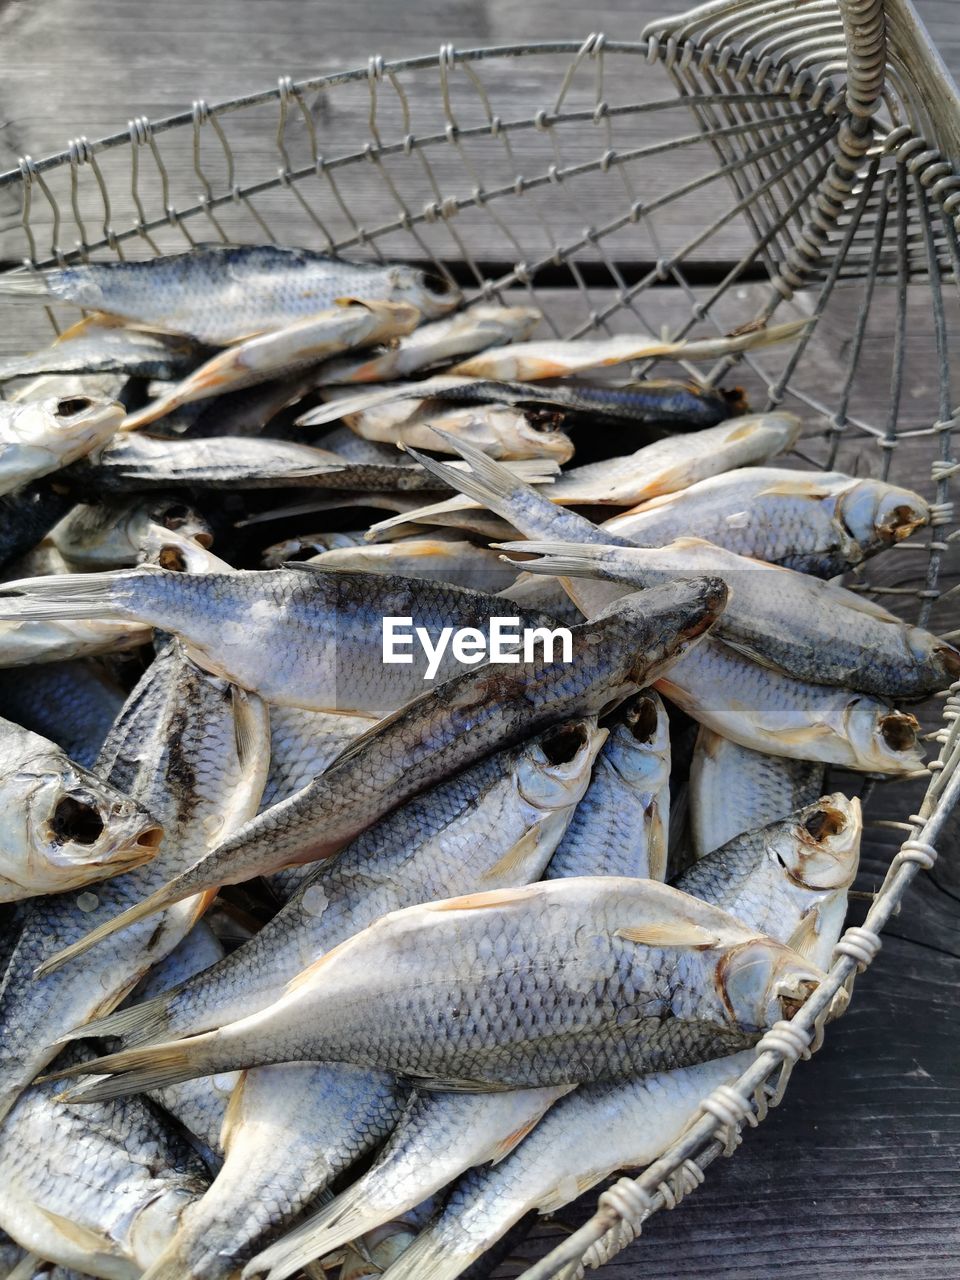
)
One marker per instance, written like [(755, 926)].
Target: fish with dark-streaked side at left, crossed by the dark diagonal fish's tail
[(193, 752)]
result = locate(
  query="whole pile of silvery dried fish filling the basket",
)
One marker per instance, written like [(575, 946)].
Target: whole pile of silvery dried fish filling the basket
[(513, 830)]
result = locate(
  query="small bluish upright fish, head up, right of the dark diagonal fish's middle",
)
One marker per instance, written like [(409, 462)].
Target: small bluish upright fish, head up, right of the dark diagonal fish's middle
[(621, 828)]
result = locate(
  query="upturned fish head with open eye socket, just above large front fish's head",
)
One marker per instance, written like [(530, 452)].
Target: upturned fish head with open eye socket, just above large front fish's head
[(824, 849)]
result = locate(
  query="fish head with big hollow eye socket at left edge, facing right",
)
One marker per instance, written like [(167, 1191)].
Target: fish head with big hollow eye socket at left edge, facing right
[(75, 821)]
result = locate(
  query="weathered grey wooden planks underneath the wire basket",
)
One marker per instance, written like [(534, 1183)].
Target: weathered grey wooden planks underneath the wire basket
[(860, 1173)]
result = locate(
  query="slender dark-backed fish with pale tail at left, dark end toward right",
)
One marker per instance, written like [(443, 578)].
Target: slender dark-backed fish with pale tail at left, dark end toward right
[(678, 404)]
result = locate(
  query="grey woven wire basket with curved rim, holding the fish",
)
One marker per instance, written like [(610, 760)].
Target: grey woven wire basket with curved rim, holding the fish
[(816, 149)]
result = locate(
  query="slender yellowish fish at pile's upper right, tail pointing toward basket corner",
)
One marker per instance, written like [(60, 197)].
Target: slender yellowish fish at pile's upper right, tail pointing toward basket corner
[(552, 358)]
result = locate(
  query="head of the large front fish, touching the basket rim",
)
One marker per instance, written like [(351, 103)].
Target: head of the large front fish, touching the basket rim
[(761, 982)]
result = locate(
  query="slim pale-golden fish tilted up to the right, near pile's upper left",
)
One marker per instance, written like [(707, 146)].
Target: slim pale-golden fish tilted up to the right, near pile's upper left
[(282, 353)]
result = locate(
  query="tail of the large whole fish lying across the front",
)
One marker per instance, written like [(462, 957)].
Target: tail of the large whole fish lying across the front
[(136, 1071)]
